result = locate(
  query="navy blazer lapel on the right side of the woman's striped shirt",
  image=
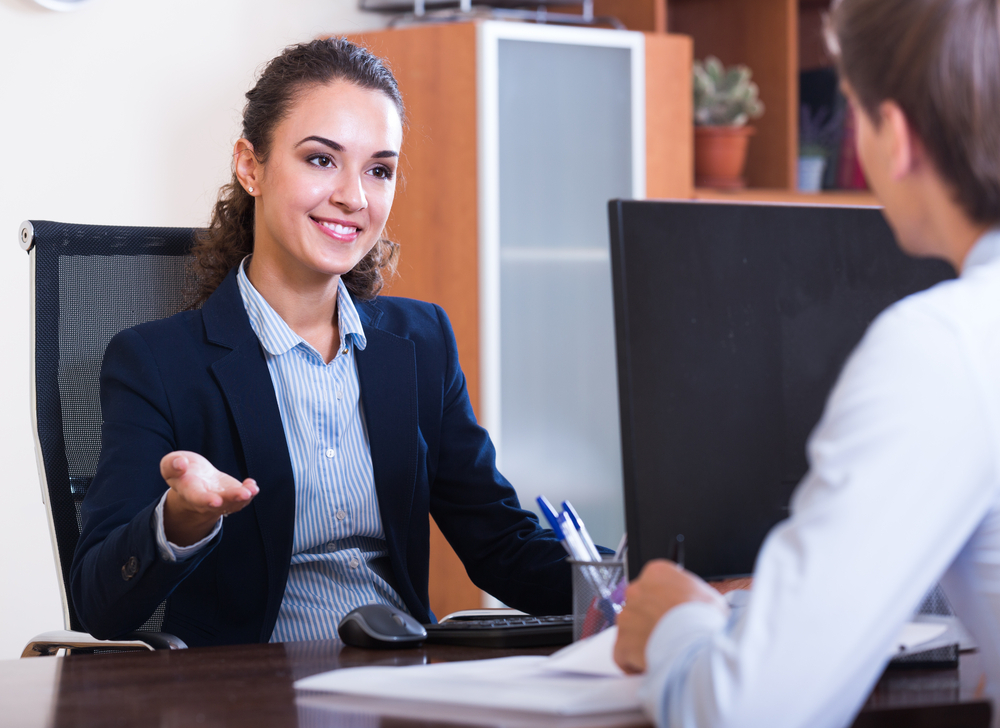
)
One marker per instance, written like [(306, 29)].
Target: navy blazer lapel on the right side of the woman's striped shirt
[(387, 374)]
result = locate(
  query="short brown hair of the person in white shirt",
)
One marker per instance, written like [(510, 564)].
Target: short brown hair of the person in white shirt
[(940, 61)]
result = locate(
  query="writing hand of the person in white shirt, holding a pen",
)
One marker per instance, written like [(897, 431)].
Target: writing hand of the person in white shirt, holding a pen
[(661, 586)]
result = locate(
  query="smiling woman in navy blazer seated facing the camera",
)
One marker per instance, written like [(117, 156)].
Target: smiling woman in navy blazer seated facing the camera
[(324, 423)]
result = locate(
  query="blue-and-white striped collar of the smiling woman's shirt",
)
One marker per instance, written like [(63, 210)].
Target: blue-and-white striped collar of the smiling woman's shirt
[(276, 336)]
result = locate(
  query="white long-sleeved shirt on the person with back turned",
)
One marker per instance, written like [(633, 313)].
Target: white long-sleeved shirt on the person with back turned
[(902, 492)]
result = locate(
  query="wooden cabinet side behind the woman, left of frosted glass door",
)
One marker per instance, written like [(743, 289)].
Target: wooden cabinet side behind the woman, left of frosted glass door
[(434, 218)]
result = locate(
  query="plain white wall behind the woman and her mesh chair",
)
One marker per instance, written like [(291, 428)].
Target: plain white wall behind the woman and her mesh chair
[(123, 112)]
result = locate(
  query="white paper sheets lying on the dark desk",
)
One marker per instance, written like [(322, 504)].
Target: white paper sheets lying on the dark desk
[(579, 680)]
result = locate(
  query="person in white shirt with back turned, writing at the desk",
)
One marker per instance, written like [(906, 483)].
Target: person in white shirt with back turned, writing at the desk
[(904, 482)]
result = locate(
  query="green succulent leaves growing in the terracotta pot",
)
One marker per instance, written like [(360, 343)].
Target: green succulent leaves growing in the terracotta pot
[(724, 97)]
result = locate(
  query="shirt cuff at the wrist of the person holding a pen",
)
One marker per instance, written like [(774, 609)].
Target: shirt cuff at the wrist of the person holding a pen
[(671, 647)]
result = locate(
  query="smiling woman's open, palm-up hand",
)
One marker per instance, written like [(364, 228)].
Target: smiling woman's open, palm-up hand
[(199, 495)]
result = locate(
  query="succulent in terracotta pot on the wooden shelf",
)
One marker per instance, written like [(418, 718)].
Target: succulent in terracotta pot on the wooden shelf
[(725, 99)]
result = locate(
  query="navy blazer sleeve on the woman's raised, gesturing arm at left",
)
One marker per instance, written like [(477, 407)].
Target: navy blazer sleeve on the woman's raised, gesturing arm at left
[(118, 577)]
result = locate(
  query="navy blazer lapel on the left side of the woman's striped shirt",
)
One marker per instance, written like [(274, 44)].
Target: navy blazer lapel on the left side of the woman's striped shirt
[(246, 384)]
